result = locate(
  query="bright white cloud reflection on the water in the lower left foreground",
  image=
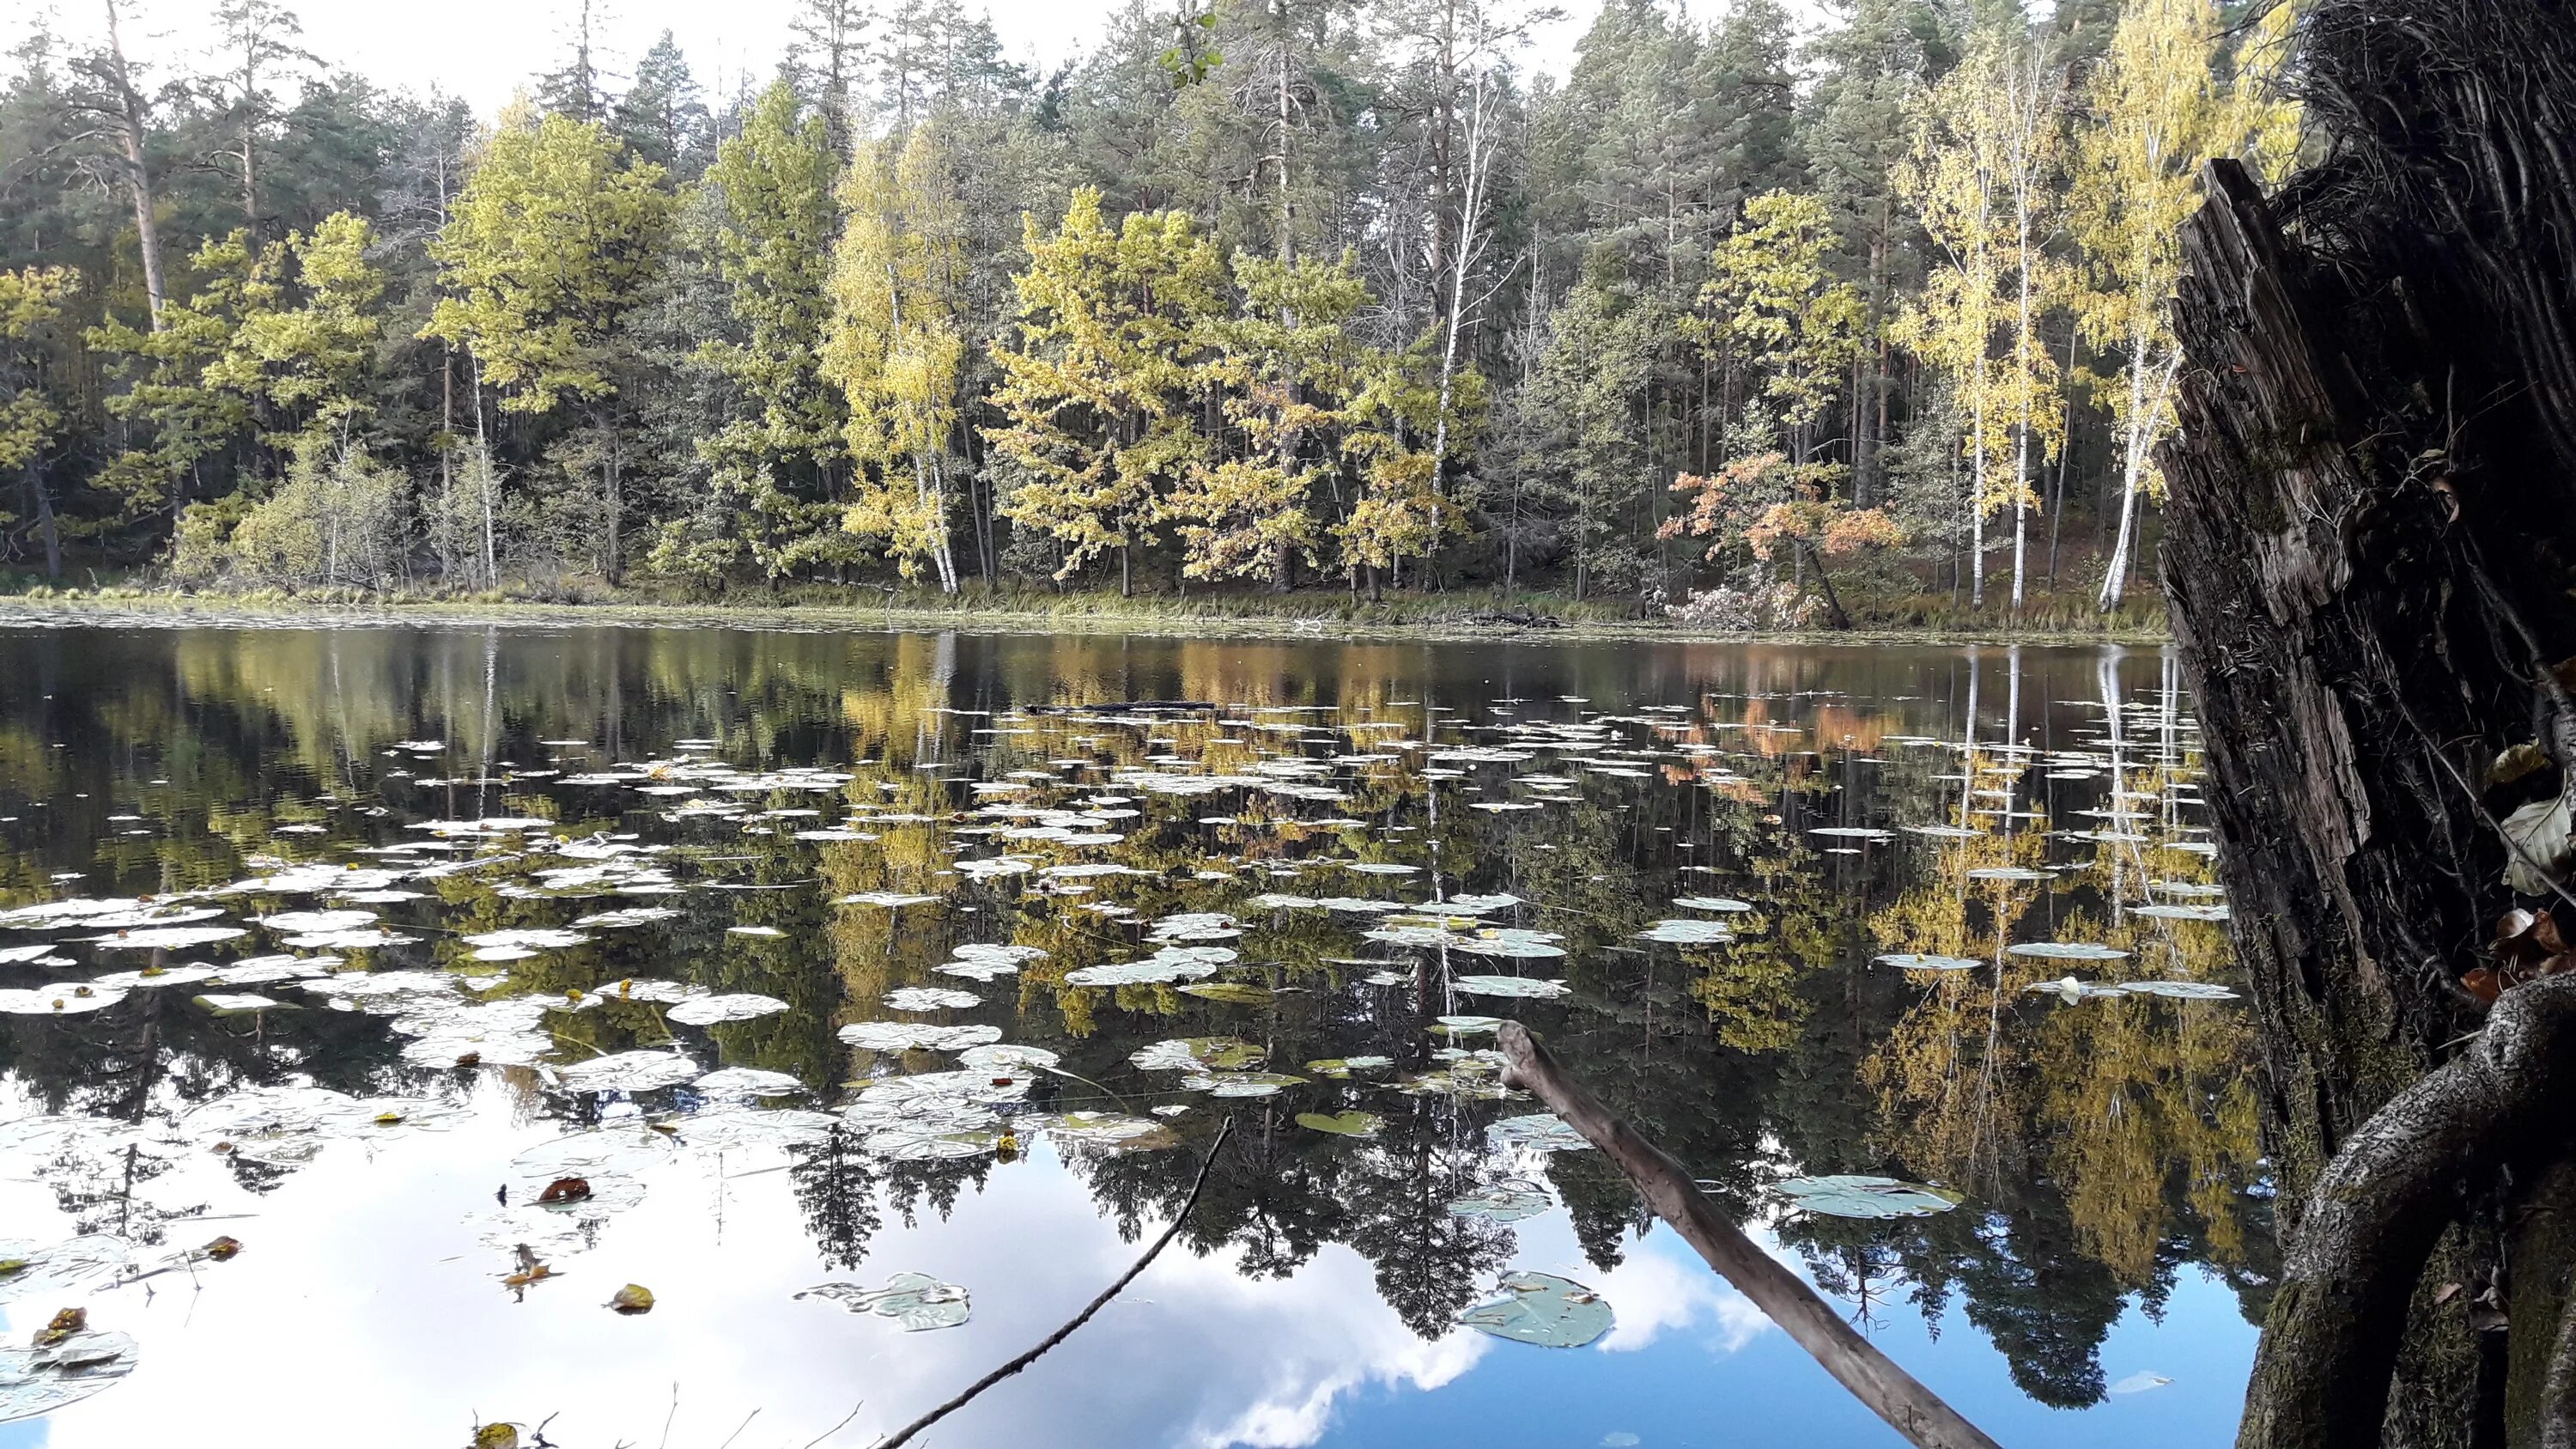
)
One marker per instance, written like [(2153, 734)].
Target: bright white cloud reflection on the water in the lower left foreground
[(365, 1303)]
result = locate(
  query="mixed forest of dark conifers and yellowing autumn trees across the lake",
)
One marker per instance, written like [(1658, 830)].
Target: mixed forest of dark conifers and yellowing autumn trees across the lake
[(1261, 295)]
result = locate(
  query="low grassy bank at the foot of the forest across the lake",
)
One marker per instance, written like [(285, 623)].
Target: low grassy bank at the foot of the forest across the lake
[(1215, 612)]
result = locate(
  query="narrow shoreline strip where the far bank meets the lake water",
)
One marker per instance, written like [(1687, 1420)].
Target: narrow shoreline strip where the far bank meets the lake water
[(225, 612)]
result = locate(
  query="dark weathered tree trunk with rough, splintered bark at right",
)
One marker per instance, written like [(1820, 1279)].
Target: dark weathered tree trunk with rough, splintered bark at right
[(2369, 563)]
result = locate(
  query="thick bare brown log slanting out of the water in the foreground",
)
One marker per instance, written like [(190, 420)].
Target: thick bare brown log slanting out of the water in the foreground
[(1779, 1293)]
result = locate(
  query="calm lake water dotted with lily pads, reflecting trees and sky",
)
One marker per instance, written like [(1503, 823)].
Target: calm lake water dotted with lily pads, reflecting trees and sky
[(777, 844)]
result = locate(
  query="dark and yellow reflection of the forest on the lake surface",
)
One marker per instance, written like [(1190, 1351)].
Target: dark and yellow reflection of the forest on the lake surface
[(2103, 1146)]
